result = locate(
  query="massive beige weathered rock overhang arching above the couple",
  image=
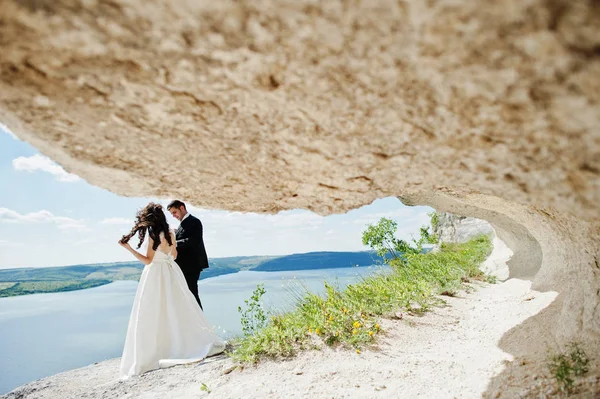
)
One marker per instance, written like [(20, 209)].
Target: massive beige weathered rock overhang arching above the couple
[(269, 105)]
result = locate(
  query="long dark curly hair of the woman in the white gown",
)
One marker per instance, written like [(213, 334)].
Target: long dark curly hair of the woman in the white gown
[(150, 218)]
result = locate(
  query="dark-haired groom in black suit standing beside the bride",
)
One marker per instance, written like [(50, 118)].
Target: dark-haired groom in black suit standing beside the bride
[(191, 254)]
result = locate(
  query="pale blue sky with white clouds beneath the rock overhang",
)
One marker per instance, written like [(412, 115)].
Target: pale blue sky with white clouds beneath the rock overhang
[(51, 218)]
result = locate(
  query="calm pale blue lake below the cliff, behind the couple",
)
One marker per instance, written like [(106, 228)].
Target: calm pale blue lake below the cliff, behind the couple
[(45, 334)]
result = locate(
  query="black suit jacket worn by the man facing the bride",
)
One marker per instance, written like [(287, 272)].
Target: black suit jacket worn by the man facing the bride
[(191, 254)]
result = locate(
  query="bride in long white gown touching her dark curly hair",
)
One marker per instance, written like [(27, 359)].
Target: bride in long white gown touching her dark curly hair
[(166, 327)]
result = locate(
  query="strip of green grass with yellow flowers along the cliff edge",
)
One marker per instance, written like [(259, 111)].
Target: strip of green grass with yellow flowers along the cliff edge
[(351, 317)]
